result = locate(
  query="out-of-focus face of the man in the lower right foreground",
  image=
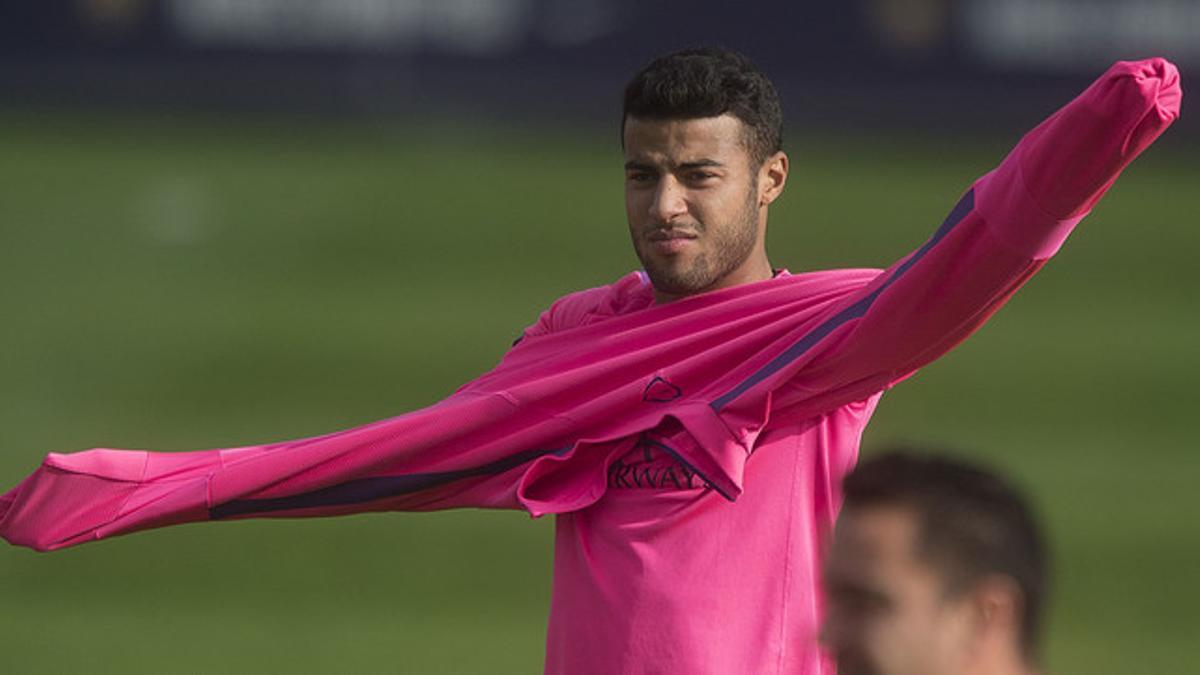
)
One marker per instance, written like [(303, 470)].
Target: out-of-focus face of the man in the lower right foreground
[(886, 611)]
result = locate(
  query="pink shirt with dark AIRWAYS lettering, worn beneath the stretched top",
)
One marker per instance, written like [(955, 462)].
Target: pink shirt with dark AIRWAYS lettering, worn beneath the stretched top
[(665, 576)]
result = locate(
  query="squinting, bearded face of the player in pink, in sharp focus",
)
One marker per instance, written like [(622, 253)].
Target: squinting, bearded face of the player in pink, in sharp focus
[(694, 205)]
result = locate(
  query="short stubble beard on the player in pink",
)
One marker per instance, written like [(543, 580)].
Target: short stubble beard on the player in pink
[(727, 250)]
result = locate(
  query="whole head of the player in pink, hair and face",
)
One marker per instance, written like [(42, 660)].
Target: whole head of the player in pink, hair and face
[(703, 134)]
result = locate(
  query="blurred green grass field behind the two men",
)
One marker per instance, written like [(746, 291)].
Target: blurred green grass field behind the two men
[(181, 285)]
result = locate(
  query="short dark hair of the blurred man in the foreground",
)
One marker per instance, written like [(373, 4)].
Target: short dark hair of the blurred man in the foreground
[(971, 522)]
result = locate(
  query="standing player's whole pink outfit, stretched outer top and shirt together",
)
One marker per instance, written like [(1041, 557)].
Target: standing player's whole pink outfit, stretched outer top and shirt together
[(637, 423)]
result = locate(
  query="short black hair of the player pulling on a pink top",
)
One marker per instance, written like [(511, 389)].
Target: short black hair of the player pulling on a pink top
[(709, 82)]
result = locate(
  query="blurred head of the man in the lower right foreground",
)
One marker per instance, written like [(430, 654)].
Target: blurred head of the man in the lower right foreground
[(937, 569)]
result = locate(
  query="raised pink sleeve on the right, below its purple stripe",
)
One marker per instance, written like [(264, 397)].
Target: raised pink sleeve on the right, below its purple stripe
[(998, 236)]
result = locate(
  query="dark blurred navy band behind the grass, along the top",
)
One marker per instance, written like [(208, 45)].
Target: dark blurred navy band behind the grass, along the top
[(886, 63)]
